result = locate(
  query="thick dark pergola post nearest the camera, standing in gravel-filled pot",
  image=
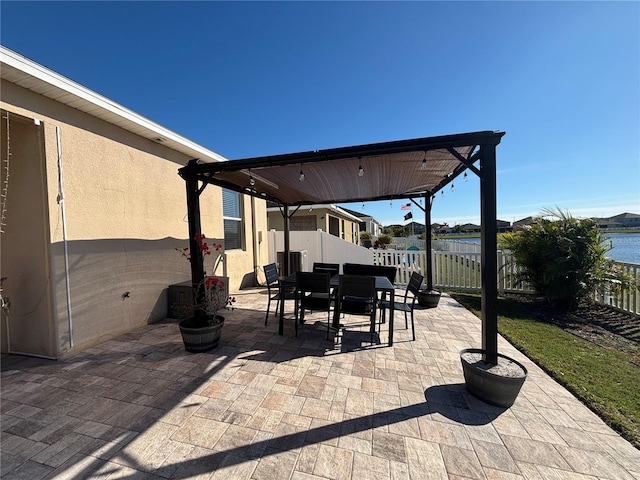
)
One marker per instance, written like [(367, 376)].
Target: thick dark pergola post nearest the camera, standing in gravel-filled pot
[(489, 253)]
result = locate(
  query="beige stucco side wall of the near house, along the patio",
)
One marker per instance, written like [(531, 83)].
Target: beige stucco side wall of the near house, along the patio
[(125, 210)]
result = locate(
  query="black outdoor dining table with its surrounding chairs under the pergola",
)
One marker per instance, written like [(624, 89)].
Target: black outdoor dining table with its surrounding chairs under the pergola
[(361, 290)]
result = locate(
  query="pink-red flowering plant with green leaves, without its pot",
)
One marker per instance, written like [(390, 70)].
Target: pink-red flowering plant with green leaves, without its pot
[(214, 297)]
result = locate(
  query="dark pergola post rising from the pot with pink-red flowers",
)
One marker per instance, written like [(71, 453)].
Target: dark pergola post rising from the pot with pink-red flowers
[(196, 256)]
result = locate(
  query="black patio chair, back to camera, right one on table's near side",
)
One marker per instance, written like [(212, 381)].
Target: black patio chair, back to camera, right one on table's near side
[(357, 296)]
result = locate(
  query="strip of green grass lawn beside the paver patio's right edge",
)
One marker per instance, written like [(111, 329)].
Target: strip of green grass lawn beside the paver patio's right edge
[(605, 380)]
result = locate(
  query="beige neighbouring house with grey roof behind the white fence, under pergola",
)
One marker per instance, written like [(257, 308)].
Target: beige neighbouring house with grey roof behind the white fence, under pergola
[(328, 218)]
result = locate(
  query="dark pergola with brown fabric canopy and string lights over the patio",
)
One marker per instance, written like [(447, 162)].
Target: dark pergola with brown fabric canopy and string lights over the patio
[(405, 169)]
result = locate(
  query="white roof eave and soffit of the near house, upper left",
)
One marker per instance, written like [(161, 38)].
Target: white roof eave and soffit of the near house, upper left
[(28, 74)]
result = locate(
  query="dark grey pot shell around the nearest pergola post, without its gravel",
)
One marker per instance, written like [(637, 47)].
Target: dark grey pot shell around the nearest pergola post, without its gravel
[(497, 390)]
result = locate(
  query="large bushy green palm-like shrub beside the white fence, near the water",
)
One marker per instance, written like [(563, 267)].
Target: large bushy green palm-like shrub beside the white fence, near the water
[(563, 258)]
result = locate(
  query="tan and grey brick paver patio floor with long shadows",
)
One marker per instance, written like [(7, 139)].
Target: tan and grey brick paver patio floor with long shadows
[(264, 406)]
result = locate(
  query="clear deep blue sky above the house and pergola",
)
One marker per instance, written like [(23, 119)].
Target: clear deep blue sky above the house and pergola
[(257, 78)]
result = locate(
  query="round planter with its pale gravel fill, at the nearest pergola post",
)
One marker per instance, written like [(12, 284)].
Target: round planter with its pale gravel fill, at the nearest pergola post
[(497, 386)]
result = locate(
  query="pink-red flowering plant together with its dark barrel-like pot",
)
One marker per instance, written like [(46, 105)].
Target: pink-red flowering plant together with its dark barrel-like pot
[(201, 324)]
